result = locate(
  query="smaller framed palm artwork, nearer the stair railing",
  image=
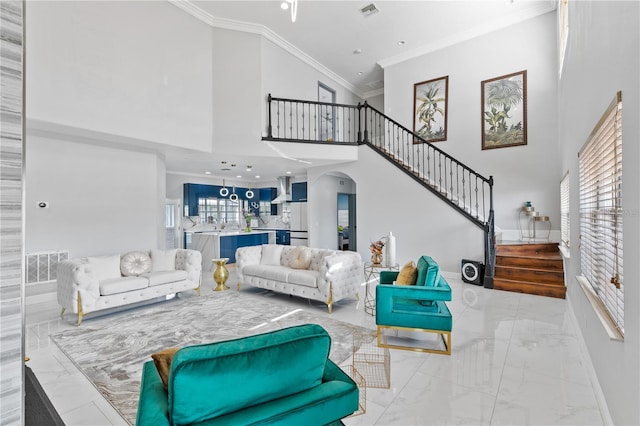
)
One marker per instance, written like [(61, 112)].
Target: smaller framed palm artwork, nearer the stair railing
[(430, 109)]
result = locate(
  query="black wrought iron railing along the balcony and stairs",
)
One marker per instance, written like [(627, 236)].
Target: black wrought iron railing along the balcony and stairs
[(464, 189)]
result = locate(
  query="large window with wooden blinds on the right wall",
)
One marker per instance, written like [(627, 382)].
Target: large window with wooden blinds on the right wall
[(601, 212)]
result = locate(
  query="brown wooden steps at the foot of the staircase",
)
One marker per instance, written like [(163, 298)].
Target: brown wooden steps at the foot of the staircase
[(530, 268)]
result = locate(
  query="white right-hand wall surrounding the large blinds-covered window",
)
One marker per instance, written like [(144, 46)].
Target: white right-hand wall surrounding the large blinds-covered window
[(601, 59)]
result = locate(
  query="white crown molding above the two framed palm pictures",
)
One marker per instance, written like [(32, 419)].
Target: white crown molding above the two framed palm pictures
[(480, 30)]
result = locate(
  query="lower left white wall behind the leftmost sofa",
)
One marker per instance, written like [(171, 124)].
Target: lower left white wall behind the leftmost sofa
[(101, 200)]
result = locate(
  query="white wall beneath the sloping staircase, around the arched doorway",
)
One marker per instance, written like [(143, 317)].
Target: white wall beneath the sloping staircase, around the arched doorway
[(388, 200)]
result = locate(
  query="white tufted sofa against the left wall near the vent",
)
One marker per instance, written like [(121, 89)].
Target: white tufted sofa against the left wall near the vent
[(92, 284)]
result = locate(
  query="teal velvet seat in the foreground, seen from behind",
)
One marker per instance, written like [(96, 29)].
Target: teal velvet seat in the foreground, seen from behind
[(282, 377)]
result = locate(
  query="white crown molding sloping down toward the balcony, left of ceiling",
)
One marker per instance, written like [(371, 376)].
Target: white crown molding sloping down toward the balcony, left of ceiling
[(247, 27)]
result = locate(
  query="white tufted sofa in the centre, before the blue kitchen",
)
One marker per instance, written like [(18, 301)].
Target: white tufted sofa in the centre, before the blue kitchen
[(313, 273)]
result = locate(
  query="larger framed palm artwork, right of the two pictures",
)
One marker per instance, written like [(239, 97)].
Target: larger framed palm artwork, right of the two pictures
[(504, 111)]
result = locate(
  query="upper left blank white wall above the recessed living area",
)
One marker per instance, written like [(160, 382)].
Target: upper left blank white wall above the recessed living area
[(121, 68)]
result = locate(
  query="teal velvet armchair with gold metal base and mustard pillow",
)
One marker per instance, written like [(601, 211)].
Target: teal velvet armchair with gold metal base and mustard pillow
[(419, 307)]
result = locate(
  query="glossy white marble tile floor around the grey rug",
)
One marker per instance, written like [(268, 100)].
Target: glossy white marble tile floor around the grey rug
[(515, 361)]
